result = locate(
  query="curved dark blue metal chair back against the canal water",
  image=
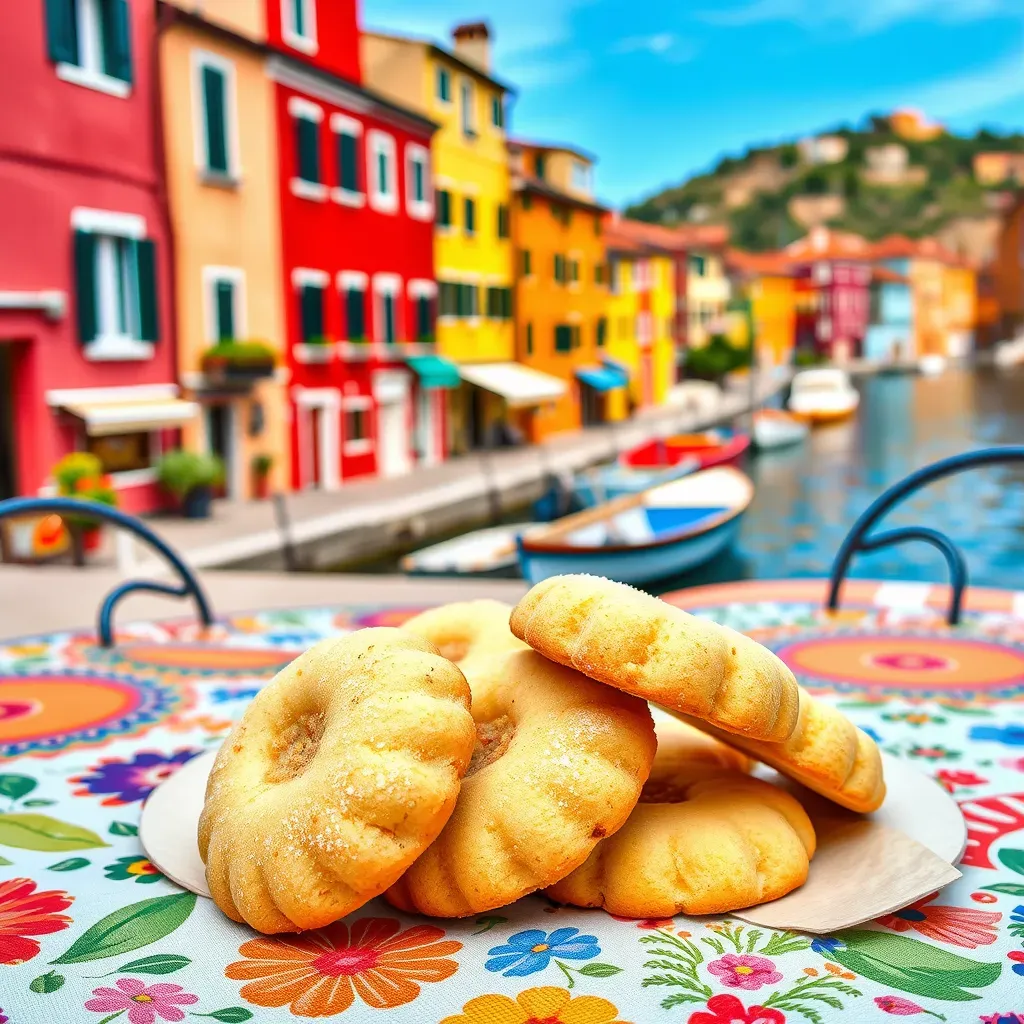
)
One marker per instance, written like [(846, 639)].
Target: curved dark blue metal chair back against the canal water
[(858, 540)]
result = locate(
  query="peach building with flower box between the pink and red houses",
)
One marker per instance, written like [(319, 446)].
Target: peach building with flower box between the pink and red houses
[(221, 151)]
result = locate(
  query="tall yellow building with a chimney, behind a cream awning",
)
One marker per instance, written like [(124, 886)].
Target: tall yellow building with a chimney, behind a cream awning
[(473, 247)]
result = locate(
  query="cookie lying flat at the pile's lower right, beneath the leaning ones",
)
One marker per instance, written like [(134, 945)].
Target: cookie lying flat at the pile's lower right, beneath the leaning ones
[(732, 842)]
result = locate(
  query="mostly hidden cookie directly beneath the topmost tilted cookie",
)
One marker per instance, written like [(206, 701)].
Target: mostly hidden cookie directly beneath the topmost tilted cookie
[(827, 752)]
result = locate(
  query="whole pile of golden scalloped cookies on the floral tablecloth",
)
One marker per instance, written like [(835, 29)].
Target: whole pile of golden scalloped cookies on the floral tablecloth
[(483, 753)]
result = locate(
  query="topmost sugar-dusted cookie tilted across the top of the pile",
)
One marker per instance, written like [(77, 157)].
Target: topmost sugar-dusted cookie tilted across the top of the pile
[(641, 645)]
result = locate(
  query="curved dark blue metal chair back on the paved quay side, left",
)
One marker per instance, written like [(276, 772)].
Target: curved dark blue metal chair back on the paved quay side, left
[(190, 586)]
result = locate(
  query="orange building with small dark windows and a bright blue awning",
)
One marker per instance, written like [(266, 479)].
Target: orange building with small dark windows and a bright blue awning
[(561, 286)]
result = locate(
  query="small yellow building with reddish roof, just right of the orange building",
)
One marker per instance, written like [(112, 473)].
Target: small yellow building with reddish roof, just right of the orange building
[(648, 275)]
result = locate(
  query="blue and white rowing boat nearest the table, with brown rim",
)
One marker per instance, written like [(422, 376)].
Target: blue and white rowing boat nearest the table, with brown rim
[(639, 538)]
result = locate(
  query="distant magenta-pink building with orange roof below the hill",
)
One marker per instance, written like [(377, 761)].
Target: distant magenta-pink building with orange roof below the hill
[(833, 272)]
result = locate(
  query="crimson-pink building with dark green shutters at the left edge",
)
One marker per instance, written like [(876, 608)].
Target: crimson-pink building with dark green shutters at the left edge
[(87, 357)]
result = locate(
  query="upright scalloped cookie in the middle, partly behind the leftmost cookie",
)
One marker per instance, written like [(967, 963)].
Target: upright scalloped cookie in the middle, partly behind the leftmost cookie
[(560, 764)]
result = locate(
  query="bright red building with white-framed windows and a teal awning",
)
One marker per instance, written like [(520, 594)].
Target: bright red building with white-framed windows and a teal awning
[(357, 206)]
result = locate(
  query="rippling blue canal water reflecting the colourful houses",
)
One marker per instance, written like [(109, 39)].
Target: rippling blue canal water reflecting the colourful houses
[(809, 496)]
